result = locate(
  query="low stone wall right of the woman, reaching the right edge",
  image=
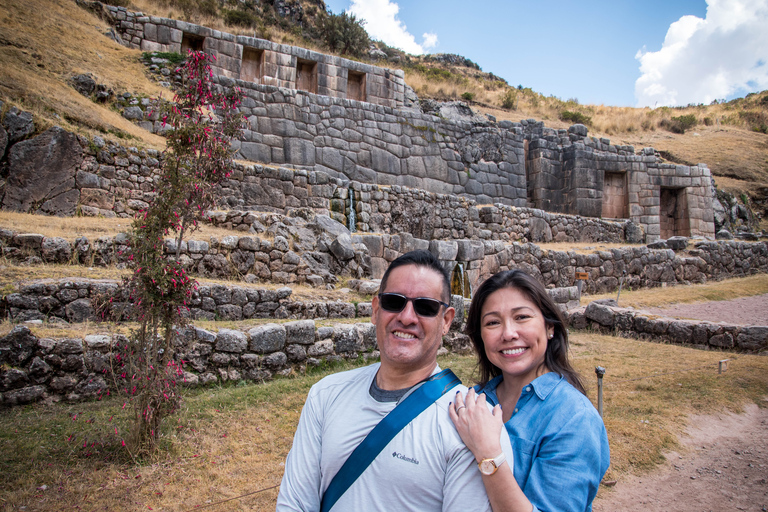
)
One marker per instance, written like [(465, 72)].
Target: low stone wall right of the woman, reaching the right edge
[(701, 334)]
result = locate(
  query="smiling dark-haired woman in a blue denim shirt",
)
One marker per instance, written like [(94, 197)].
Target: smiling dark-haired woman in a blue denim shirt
[(559, 441)]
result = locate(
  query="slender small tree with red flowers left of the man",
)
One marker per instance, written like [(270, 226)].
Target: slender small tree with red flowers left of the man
[(203, 120)]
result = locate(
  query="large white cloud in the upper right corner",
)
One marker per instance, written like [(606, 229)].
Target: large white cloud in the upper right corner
[(706, 59)]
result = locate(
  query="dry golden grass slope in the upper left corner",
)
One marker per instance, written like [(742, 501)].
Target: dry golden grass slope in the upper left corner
[(45, 42)]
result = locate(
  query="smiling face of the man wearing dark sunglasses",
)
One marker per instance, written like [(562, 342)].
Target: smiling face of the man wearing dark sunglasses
[(409, 342)]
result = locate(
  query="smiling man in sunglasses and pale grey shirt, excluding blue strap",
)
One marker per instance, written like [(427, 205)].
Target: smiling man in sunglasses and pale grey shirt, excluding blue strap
[(425, 467)]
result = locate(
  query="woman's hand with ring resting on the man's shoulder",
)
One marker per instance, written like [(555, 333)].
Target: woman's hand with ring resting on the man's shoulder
[(479, 427)]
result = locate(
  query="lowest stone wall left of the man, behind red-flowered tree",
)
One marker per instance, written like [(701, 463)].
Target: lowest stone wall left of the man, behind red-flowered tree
[(34, 369)]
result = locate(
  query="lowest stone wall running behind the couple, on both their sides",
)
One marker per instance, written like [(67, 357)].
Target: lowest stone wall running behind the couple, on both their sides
[(34, 369)]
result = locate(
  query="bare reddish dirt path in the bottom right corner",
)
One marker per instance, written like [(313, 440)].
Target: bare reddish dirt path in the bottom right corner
[(724, 466)]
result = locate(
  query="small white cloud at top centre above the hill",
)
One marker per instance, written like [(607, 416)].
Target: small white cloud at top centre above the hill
[(382, 24)]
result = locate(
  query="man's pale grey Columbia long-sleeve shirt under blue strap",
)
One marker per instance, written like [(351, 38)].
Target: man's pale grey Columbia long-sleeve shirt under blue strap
[(426, 467)]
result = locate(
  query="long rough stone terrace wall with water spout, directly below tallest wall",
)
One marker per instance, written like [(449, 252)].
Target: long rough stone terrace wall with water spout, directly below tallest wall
[(100, 178)]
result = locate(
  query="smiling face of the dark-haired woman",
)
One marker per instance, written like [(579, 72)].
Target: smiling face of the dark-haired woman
[(515, 334)]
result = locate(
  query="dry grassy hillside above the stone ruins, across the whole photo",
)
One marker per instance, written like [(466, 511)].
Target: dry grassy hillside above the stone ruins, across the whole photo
[(43, 47)]
